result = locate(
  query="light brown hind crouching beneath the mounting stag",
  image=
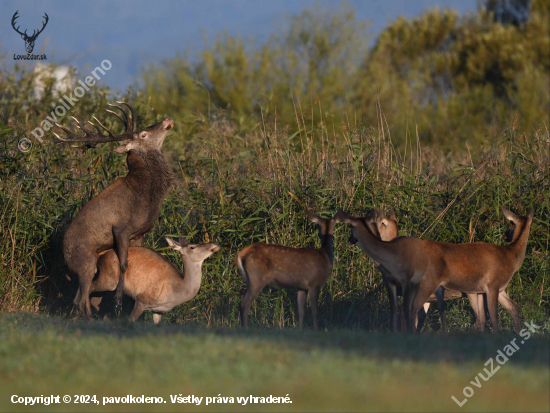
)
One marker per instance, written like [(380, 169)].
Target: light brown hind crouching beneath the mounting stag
[(151, 280)]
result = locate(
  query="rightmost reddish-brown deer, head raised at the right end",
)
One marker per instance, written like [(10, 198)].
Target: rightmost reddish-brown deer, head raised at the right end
[(477, 268)]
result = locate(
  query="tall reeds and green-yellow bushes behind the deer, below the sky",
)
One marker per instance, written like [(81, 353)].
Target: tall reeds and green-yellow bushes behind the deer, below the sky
[(444, 113)]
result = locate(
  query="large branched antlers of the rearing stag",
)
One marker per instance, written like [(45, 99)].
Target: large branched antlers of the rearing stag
[(98, 137)]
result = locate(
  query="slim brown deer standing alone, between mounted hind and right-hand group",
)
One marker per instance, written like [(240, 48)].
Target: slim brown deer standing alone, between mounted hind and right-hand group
[(306, 269)]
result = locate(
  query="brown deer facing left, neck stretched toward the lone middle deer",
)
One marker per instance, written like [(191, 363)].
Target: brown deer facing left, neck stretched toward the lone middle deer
[(403, 262)]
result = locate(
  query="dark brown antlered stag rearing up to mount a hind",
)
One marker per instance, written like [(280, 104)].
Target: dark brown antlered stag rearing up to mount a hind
[(122, 213)]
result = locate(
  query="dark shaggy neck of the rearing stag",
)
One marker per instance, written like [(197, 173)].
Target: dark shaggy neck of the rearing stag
[(149, 174)]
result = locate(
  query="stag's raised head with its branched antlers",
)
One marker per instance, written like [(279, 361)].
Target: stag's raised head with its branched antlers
[(145, 140)]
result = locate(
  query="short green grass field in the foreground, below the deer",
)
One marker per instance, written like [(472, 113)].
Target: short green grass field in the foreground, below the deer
[(341, 370)]
